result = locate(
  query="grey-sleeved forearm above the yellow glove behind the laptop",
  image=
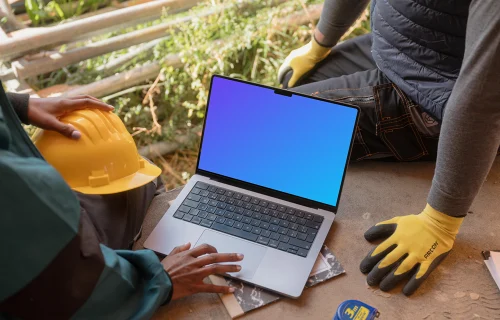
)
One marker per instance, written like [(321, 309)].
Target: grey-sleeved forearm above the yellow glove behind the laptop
[(336, 18)]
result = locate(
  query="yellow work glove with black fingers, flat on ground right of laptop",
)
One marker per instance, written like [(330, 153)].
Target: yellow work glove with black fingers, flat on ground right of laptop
[(415, 246)]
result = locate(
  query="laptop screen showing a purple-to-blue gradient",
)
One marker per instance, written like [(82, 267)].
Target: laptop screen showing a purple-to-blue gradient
[(295, 145)]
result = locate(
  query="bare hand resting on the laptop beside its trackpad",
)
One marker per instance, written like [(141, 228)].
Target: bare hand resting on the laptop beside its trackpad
[(187, 269)]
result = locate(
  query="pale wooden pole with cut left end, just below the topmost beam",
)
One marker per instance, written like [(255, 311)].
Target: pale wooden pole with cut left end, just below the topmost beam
[(57, 60)]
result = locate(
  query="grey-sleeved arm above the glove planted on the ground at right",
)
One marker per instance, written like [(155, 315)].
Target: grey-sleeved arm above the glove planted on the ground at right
[(470, 134)]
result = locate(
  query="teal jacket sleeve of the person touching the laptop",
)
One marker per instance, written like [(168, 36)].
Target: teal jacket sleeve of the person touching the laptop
[(52, 265)]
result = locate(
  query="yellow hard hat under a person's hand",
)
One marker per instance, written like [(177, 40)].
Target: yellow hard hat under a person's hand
[(103, 161)]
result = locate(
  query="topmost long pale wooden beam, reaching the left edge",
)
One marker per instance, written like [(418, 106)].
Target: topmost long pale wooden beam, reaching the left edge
[(42, 37)]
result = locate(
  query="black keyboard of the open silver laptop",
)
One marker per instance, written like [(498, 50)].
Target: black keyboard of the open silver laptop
[(250, 218)]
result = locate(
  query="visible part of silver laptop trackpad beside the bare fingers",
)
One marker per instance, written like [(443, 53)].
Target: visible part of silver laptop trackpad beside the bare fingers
[(227, 244)]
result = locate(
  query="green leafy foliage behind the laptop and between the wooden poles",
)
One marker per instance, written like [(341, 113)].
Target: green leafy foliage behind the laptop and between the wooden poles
[(244, 39)]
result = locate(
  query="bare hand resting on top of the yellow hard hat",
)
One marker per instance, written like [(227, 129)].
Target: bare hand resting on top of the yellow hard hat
[(46, 112)]
